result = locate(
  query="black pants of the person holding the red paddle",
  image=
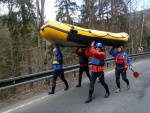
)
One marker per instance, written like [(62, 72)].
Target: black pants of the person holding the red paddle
[(124, 76)]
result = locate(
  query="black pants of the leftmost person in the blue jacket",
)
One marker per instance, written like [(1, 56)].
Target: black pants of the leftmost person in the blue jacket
[(59, 73)]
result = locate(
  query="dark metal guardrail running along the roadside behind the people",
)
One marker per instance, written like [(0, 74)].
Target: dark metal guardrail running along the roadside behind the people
[(25, 79)]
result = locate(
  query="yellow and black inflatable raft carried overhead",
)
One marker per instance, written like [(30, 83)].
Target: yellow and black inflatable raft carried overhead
[(72, 36)]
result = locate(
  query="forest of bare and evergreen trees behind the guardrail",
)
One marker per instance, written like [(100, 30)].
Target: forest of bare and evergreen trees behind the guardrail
[(24, 51)]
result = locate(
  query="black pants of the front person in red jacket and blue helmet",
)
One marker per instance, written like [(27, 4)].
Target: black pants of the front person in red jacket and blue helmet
[(94, 76)]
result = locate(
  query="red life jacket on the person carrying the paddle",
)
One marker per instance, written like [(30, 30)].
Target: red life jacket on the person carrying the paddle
[(121, 60)]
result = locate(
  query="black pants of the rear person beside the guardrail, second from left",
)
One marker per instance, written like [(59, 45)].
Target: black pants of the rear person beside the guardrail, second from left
[(81, 70)]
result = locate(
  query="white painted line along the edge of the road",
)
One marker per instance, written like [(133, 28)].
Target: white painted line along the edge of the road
[(31, 102)]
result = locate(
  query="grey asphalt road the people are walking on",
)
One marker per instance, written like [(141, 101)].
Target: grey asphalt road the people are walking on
[(135, 100)]
